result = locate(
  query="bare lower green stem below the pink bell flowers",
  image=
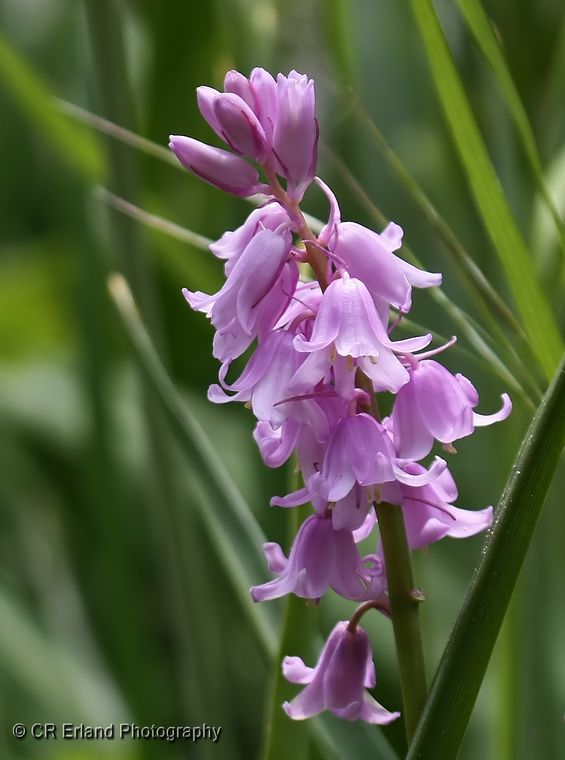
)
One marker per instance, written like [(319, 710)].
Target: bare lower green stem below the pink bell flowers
[(404, 610)]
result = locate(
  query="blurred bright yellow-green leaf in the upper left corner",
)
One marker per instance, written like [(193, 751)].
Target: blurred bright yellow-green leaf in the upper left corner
[(75, 146)]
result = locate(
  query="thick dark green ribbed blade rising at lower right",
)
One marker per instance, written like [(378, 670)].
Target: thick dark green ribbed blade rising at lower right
[(464, 662)]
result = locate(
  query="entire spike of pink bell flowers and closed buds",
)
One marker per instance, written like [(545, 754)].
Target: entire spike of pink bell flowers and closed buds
[(320, 311)]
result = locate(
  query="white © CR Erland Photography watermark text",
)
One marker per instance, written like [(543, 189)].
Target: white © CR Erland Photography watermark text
[(119, 731)]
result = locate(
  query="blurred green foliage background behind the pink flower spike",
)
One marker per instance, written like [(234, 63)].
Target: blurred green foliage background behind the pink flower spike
[(119, 593)]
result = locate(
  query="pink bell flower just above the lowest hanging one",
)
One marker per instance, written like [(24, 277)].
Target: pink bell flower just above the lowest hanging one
[(321, 557)]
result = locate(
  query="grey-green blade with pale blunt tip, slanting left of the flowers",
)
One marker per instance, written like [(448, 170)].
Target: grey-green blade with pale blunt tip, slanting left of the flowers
[(233, 528)]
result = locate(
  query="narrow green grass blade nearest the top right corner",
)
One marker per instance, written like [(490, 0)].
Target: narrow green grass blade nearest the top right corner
[(481, 29)]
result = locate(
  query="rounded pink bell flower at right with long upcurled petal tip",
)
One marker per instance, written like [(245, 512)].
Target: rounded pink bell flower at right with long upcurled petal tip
[(436, 405)]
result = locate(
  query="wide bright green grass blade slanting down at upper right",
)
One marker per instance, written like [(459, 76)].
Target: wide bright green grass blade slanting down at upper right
[(537, 318)]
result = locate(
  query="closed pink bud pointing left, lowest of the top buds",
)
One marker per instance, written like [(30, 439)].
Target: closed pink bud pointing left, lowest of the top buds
[(216, 166)]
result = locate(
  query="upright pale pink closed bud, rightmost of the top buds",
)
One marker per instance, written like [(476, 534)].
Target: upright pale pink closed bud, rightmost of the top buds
[(295, 137)]
